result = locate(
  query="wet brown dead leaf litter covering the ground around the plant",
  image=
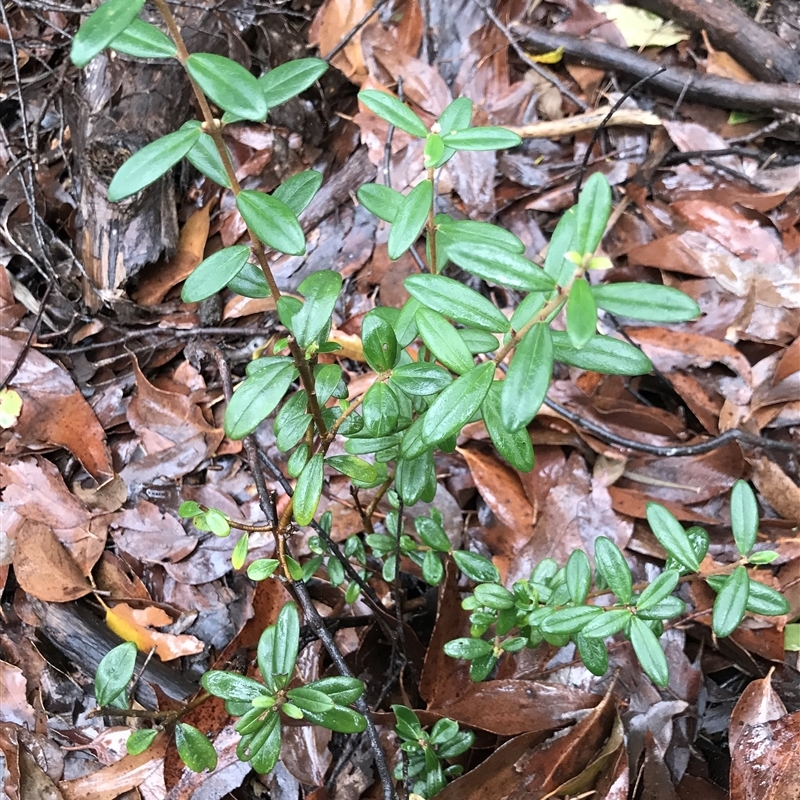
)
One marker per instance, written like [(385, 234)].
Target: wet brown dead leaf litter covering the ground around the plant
[(118, 422)]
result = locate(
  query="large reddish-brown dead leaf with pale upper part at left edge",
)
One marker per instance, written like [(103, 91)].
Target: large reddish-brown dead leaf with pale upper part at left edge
[(54, 411)]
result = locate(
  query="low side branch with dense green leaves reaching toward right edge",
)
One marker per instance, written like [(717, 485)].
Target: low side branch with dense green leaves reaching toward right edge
[(554, 604)]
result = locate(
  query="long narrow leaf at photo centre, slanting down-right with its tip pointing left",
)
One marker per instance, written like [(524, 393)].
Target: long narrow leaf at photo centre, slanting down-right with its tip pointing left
[(456, 301)]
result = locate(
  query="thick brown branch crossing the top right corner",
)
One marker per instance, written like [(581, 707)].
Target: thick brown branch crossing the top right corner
[(759, 51)]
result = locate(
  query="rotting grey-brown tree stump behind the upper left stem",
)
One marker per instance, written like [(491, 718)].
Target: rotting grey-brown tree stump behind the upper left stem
[(120, 105)]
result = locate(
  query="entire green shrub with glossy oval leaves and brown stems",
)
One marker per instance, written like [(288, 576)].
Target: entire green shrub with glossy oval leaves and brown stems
[(418, 404)]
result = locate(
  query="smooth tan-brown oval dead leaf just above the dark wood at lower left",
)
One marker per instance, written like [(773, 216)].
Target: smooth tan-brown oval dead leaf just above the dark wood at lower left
[(44, 567)]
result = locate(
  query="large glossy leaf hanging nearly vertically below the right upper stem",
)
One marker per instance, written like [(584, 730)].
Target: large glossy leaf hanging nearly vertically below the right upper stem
[(527, 379)]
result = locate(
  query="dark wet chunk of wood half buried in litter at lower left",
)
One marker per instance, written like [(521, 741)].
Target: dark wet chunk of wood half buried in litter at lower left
[(84, 640)]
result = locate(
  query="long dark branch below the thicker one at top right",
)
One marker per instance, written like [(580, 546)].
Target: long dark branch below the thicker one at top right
[(675, 82)]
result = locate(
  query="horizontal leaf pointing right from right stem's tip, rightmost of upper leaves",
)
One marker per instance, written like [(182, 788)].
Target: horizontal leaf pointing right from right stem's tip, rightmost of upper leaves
[(646, 301)]
